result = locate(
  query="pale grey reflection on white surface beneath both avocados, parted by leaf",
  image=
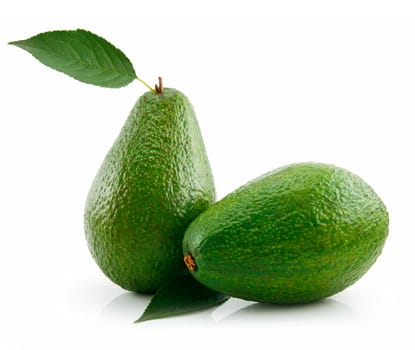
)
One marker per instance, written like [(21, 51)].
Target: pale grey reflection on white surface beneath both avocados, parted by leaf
[(126, 308)]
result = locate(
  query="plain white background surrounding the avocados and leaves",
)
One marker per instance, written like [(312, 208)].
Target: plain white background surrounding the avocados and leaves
[(271, 84)]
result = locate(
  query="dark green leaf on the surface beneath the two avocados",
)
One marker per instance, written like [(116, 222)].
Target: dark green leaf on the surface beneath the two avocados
[(180, 295)]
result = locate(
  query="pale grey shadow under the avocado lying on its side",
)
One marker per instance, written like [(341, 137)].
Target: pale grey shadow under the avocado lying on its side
[(325, 310)]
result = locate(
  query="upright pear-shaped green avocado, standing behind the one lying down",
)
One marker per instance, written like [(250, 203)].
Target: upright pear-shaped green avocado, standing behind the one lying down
[(154, 181)]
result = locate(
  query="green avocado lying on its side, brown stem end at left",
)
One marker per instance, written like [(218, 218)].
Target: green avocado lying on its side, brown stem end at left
[(294, 235)]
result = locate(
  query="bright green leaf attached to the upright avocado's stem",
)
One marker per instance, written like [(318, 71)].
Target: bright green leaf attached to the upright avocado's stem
[(81, 55)]
